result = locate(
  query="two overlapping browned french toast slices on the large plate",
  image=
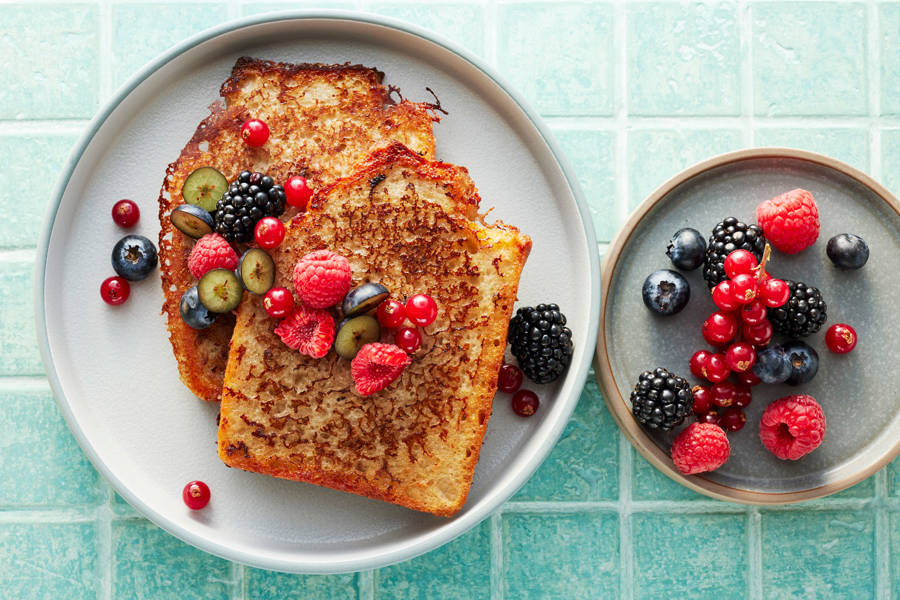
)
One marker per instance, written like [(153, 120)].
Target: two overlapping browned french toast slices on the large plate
[(401, 220)]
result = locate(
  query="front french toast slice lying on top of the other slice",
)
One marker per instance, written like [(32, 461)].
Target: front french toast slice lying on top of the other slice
[(411, 225)]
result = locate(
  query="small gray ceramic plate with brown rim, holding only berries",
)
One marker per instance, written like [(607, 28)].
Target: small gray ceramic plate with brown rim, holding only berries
[(858, 391)]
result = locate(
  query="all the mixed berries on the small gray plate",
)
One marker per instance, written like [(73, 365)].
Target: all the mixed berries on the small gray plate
[(752, 307)]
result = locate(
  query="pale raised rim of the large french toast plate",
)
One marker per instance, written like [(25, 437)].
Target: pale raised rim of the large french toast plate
[(421, 542)]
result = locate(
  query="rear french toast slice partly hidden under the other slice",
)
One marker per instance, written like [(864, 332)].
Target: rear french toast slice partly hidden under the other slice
[(322, 119)]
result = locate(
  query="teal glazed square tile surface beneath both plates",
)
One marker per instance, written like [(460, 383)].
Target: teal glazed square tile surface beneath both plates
[(633, 92)]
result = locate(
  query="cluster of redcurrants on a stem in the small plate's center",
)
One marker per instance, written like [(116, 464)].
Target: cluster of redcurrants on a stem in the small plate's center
[(736, 330)]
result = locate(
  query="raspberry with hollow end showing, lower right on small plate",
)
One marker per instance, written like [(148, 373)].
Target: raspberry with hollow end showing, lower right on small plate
[(792, 427)]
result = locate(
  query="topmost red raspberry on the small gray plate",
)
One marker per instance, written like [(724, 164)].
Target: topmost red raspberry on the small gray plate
[(790, 221)]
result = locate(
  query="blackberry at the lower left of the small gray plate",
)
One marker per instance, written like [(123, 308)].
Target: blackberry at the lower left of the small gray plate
[(661, 400)]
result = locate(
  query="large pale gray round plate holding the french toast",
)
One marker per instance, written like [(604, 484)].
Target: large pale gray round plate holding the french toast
[(112, 369)]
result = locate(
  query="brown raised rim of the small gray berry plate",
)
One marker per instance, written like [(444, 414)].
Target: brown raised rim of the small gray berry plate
[(615, 402)]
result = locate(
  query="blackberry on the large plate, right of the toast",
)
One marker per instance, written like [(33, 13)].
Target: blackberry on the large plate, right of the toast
[(541, 342)]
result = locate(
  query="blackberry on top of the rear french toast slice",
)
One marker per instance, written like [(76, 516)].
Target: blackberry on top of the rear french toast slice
[(248, 199)]
